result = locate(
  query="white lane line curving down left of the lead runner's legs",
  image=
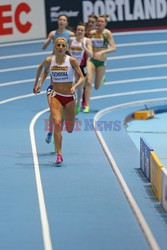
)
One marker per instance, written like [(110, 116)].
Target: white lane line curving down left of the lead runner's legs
[(43, 214)]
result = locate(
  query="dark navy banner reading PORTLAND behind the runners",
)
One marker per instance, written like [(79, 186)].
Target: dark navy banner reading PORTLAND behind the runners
[(122, 15)]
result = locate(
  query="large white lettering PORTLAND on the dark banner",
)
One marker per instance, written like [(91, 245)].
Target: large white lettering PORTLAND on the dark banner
[(126, 10)]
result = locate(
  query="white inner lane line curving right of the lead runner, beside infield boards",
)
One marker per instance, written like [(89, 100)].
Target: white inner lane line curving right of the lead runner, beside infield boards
[(136, 210)]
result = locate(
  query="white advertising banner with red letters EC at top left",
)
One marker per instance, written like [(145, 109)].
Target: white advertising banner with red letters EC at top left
[(22, 20)]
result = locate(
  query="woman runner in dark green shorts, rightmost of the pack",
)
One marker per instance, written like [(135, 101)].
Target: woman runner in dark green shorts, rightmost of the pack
[(102, 43)]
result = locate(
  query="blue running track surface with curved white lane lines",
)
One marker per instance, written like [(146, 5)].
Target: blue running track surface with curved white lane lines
[(98, 199)]
